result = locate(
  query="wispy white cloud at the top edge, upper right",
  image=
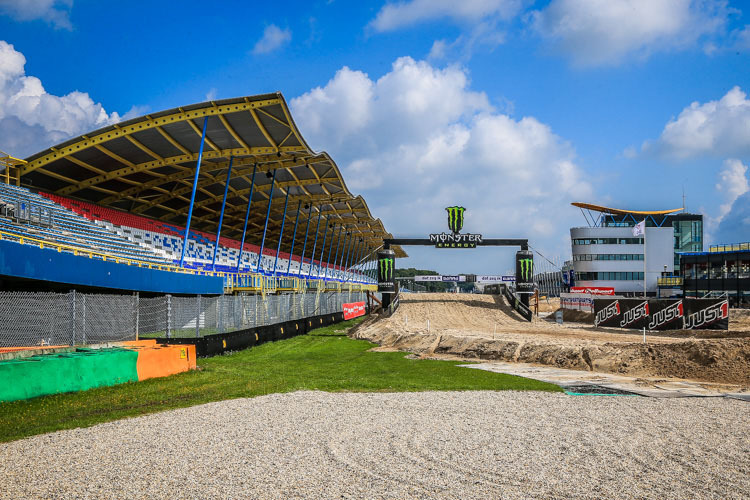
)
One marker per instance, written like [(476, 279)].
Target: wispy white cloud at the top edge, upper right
[(605, 32)]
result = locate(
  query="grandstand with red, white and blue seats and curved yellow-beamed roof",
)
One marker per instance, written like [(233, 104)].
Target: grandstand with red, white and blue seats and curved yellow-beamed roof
[(217, 198)]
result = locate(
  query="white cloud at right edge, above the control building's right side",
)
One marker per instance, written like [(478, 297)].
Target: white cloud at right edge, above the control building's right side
[(717, 128)]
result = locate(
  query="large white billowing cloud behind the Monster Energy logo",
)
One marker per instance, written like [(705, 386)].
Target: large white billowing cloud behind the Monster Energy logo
[(418, 139)]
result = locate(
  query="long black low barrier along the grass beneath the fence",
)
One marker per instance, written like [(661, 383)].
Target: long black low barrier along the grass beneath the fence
[(213, 345)]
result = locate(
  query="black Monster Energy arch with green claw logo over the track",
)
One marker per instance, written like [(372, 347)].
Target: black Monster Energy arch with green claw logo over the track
[(456, 239)]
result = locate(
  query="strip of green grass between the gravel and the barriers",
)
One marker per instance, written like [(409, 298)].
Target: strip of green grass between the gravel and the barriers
[(324, 360)]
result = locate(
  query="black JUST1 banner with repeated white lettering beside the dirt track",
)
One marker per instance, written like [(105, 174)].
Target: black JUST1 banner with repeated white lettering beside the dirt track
[(663, 314)]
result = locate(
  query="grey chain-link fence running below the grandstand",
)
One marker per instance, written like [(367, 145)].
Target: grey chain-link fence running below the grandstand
[(29, 319)]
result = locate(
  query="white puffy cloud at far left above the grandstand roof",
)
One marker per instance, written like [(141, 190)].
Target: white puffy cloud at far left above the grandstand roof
[(31, 119)]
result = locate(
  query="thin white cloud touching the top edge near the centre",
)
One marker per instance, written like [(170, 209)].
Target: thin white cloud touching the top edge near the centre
[(398, 15)]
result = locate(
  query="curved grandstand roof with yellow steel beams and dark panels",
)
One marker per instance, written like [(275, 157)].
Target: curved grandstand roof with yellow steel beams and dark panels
[(146, 166)]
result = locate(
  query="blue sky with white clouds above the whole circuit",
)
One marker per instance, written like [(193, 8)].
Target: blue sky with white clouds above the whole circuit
[(511, 108)]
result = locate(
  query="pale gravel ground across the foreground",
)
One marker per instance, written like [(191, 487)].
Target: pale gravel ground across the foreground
[(405, 445)]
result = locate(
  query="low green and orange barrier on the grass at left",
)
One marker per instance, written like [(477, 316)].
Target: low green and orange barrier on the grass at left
[(83, 368)]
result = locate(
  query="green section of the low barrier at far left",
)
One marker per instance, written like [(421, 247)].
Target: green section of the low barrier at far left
[(66, 372)]
